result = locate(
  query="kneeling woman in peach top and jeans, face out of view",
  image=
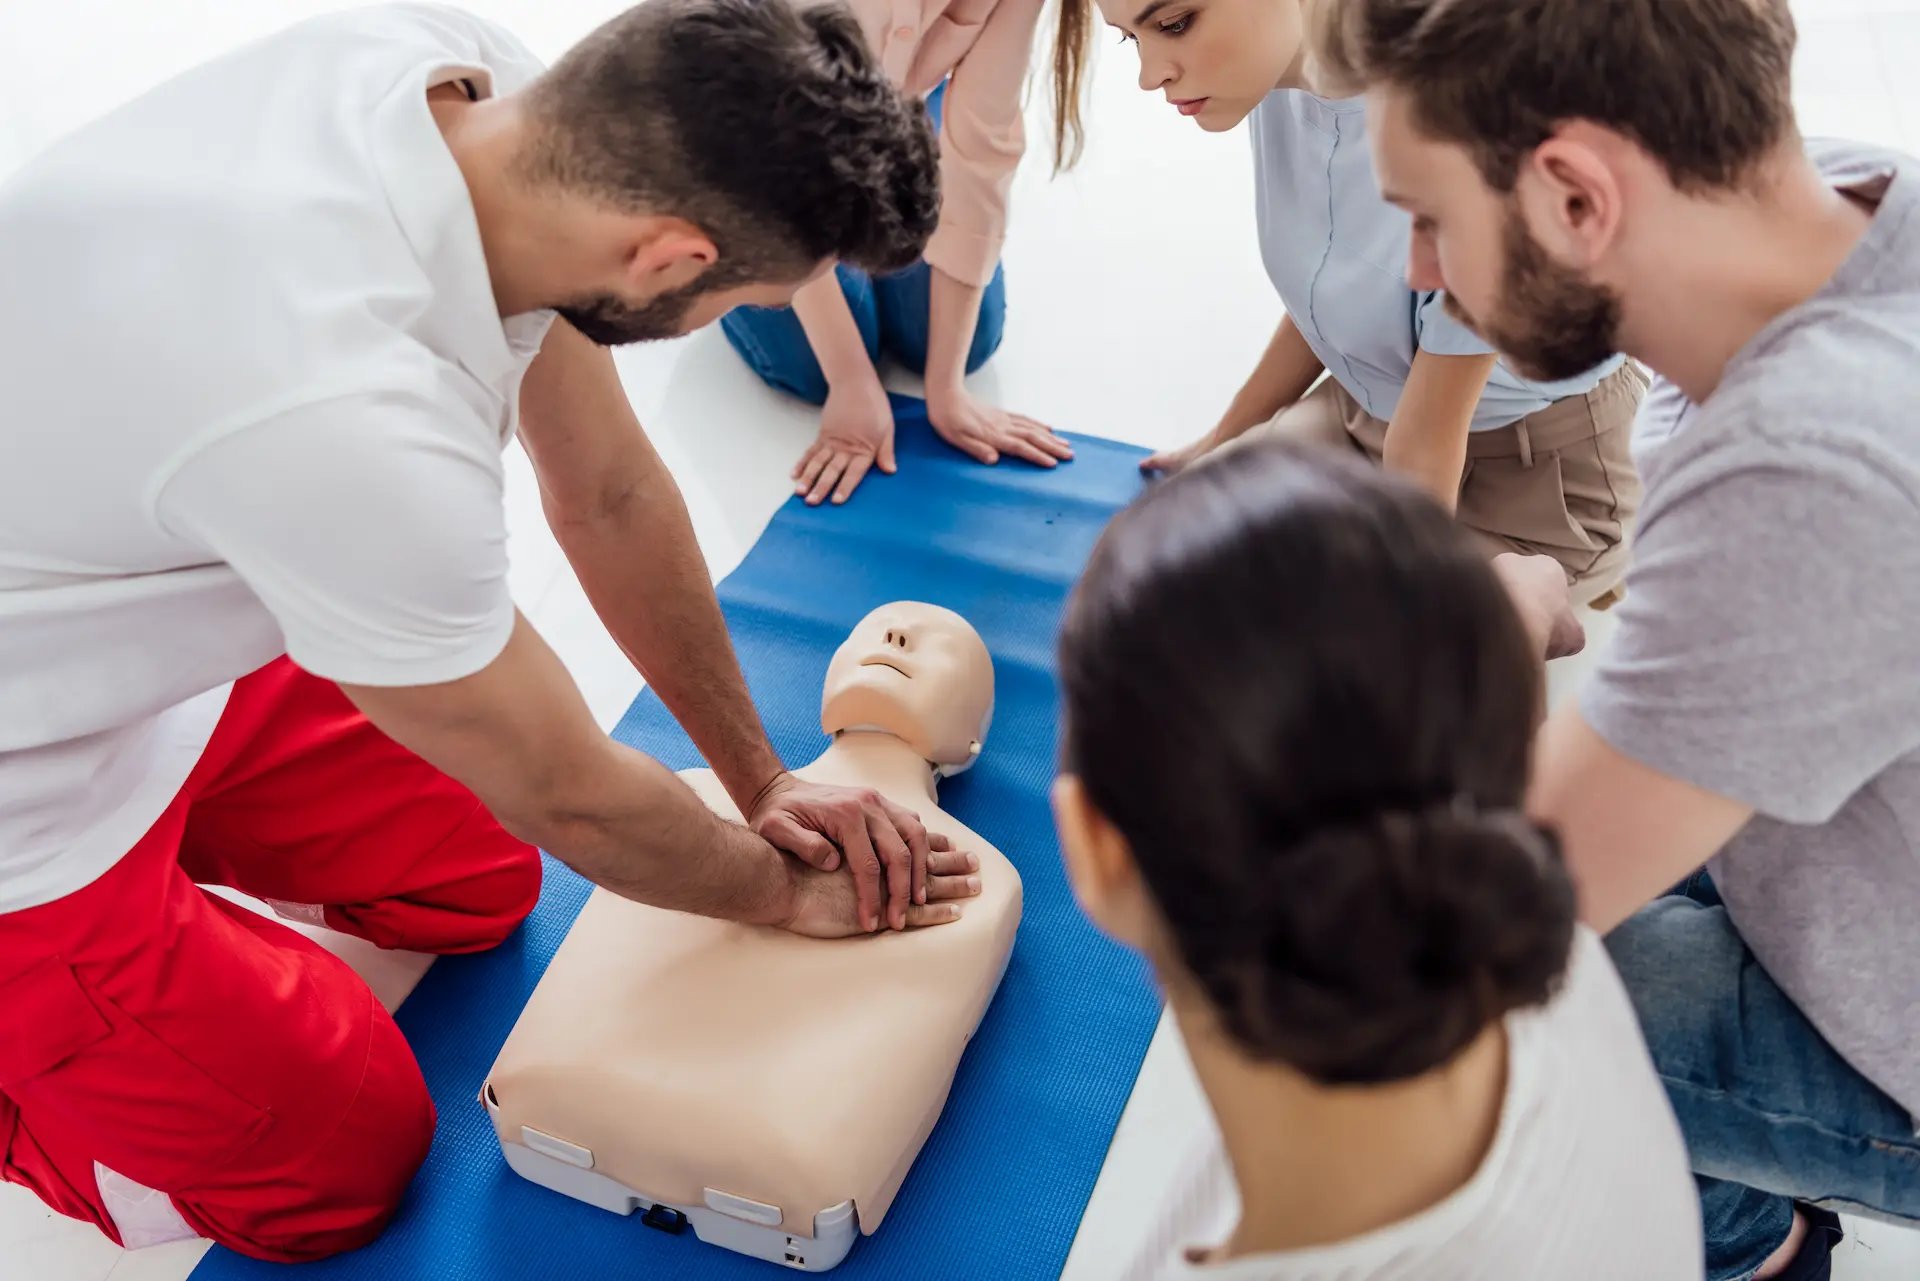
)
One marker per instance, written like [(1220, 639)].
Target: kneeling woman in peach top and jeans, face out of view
[(944, 316)]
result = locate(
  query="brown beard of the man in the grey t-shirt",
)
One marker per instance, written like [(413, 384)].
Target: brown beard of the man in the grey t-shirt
[(1552, 324)]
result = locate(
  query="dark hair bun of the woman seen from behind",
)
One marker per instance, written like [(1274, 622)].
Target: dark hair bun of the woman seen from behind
[(1383, 946)]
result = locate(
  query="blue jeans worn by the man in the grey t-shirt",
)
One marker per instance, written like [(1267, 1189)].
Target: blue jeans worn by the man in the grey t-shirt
[(1771, 1113)]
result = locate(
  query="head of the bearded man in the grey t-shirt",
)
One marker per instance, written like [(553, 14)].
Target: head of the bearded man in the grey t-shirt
[(1552, 151)]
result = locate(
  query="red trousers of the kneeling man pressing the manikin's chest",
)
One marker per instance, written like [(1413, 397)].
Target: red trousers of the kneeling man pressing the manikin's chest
[(216, 1055)]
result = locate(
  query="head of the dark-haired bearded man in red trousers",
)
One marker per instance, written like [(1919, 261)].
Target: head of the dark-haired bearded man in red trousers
[(692, 157)]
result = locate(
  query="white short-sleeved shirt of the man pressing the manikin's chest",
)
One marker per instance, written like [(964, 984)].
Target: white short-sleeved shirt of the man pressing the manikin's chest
[(254, 397)]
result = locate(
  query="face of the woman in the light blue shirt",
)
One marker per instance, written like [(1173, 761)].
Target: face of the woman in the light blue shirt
[(1214, 60)]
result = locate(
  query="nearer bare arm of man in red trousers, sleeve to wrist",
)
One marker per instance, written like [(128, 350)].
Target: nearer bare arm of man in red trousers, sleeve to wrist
[(523, 740)]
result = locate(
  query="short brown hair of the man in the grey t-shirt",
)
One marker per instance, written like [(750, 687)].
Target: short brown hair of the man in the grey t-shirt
[(1702, 85)]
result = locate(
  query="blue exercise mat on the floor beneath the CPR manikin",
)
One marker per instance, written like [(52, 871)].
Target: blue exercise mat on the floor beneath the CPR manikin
[(1001, 1186)]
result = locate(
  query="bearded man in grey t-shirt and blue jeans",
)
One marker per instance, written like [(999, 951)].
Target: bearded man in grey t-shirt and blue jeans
[(1631, 178)]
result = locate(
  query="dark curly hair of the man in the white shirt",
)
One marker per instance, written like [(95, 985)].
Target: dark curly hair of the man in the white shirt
[(765, 124)]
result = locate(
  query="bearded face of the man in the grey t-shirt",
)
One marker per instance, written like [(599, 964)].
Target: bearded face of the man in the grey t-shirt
[(1476, 243)]
